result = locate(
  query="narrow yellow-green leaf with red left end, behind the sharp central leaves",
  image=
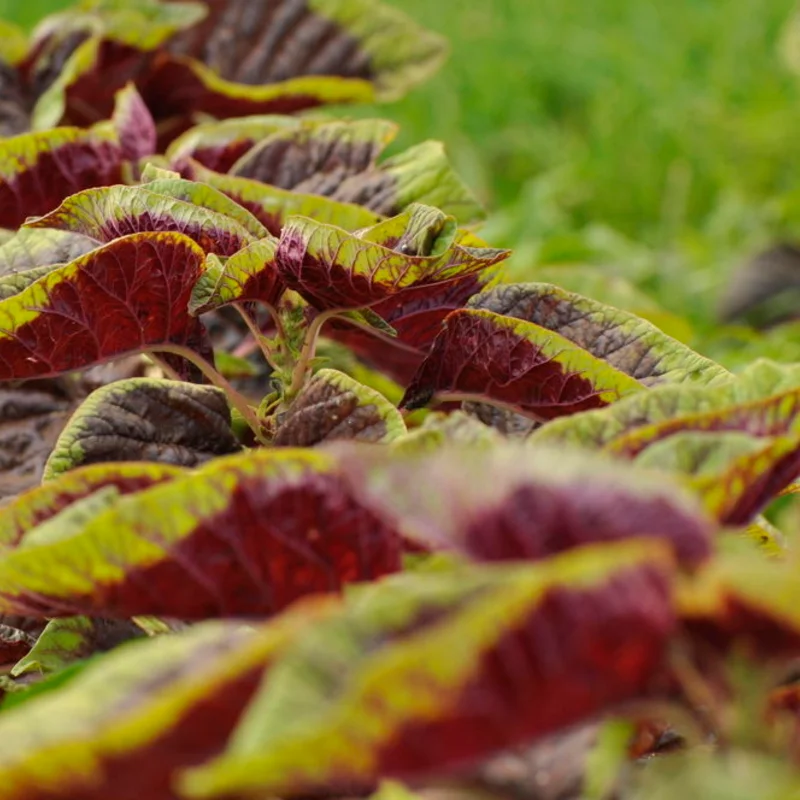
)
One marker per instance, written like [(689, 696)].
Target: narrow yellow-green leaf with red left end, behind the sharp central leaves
[(273, 206)]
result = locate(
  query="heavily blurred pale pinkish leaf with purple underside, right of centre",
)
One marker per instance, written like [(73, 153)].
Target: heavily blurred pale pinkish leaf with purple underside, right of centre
[(513, 502)]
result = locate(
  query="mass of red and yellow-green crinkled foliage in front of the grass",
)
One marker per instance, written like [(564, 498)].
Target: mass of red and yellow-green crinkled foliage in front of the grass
[(329, 502)]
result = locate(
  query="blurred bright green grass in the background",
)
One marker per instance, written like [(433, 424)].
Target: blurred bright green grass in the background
[(655, 140)]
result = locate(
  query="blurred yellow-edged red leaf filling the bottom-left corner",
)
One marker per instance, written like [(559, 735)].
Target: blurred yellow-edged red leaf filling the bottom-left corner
[(126, 723)]
